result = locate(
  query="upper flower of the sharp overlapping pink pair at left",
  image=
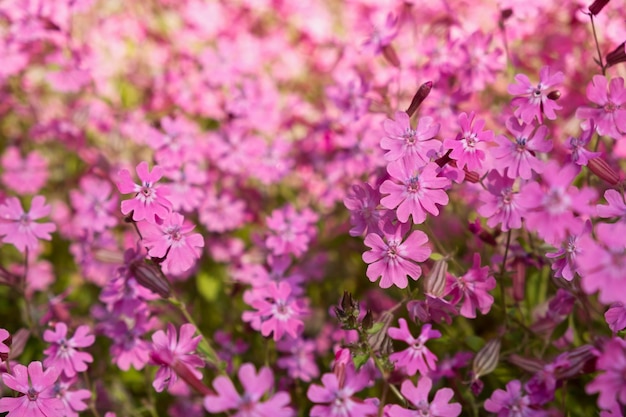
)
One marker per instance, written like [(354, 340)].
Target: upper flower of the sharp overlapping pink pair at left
[(150, 199)]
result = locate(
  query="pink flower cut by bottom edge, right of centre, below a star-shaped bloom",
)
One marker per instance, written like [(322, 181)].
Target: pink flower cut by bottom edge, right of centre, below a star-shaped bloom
[(418, 396)]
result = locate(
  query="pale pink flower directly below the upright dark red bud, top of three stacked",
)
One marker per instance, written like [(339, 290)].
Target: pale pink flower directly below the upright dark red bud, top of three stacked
[(417, 146)]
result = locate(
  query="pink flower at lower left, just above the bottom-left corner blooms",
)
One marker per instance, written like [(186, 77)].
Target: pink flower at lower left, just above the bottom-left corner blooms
[(63, 353)]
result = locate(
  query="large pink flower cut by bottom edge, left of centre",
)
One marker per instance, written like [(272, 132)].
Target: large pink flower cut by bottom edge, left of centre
[(249, 404)]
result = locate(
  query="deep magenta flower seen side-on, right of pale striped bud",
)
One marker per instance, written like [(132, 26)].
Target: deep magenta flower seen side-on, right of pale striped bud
[(473, 288)]
